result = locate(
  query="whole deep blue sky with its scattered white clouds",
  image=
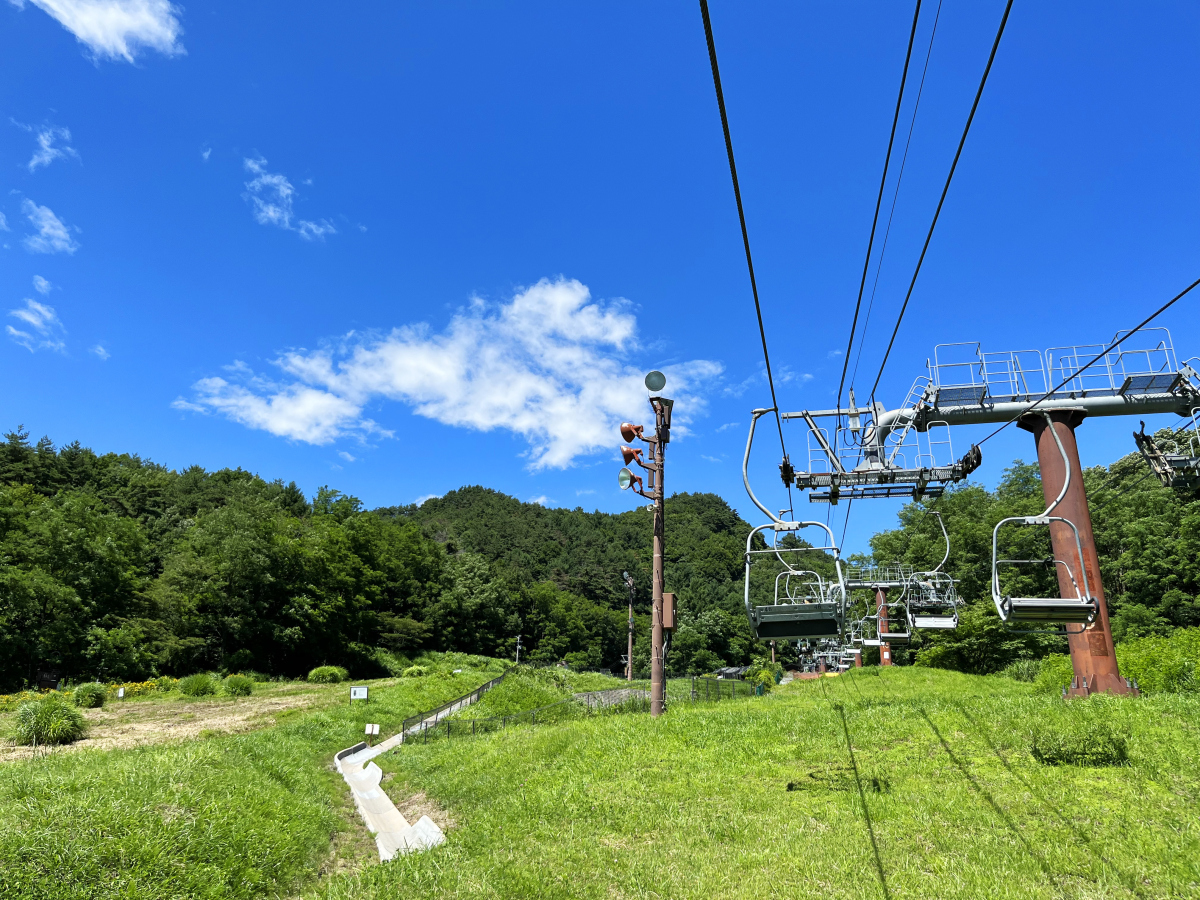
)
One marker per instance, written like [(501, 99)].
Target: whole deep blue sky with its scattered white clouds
[(400, 248)]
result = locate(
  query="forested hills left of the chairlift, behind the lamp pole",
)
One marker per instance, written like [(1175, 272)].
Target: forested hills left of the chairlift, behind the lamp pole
[(113, 567)]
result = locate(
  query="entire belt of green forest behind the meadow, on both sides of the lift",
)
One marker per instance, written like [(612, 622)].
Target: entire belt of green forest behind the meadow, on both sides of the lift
[(113, 567)]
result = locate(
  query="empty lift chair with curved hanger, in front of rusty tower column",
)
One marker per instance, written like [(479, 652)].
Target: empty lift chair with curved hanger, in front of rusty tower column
[(1058, 611)]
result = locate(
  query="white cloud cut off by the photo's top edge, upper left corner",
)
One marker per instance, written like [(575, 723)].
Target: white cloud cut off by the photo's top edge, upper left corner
[(117, 29)]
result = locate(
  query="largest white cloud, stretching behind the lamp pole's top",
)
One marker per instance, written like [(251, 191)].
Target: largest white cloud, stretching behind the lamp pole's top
[(550, 365)]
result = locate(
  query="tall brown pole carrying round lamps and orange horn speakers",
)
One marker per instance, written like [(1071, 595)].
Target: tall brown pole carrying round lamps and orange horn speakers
[(655, 493)]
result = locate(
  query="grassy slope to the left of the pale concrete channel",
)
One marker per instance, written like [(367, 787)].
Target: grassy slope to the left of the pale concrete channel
[(227, 817)]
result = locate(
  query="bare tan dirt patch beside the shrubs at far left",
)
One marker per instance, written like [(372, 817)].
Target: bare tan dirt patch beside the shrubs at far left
[(127, 725)]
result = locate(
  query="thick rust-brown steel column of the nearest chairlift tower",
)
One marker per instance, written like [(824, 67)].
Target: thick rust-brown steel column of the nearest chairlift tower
[(1093, 655)]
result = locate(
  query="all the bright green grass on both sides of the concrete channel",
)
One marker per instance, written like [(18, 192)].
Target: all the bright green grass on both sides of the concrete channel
[(760, 799)]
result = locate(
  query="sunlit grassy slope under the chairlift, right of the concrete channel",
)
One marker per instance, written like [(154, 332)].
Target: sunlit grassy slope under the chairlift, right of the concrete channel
[(698, 805)]
